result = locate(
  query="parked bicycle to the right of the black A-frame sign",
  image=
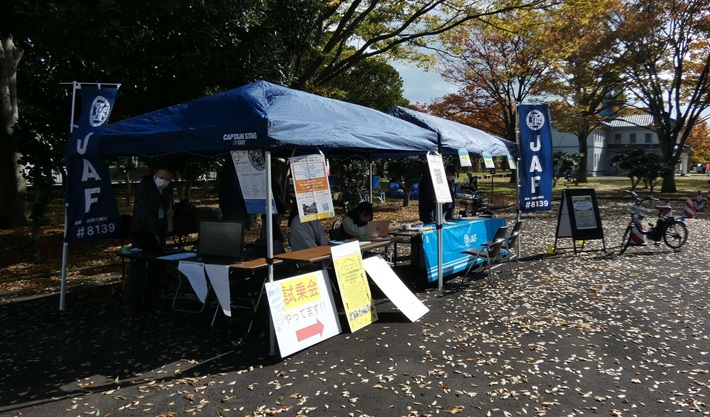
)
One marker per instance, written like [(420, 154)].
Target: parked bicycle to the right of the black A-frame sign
[(673, 231)]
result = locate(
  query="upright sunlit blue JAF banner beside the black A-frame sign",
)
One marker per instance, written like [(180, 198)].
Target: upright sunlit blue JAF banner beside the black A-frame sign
[(536, 161)]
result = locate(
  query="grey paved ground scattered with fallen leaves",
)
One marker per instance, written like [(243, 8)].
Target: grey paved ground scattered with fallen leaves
[(593, 334)]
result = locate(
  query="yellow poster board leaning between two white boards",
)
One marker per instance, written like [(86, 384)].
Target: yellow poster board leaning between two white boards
[(352, 282)]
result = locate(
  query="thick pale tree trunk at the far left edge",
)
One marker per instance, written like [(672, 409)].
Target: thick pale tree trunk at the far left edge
[(13, 211)]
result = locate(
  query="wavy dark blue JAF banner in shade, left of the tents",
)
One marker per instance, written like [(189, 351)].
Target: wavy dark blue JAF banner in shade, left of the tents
[(92, 212)]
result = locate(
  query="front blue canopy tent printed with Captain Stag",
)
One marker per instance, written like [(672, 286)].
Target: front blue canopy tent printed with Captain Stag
[(266, 117)]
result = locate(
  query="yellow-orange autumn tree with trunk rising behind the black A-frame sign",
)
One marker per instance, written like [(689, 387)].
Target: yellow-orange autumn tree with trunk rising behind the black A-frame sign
[(584, 73)]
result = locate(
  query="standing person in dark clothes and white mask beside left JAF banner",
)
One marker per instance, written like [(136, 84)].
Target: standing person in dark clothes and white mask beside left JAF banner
[(149, 226)]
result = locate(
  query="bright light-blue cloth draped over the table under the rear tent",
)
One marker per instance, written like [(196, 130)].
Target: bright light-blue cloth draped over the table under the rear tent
[(456, 237)]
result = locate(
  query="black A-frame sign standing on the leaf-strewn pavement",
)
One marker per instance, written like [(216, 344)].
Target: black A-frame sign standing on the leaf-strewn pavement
[(579, 217)]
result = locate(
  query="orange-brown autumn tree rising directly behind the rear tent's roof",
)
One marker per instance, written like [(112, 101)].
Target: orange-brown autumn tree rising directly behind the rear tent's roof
[(496, 63)]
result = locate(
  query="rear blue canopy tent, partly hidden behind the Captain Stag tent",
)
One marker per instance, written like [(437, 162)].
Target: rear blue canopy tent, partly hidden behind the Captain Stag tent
[(452, 136)]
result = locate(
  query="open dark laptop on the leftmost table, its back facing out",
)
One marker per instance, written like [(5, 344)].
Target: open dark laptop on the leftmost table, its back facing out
[(220, 242)]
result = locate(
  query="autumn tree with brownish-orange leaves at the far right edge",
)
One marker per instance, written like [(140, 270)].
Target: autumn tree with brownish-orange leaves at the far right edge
[(668, 73)]
